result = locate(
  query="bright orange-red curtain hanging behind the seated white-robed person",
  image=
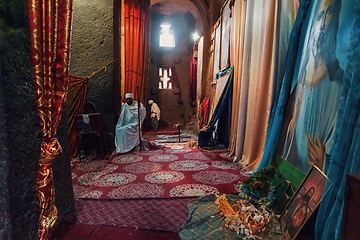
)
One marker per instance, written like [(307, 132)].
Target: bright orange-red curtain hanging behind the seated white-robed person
[(135, 47)]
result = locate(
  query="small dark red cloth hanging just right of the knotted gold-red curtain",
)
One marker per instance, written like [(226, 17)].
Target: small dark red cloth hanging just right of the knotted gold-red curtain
[(75, 101)]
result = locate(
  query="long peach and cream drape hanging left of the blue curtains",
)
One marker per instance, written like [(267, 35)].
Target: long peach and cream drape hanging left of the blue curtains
[(253, 42)]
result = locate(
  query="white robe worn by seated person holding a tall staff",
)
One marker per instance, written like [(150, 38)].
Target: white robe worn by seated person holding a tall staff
[(127, 127)]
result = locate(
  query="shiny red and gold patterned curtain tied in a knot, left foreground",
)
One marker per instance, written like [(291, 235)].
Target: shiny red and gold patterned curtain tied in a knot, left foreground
[(50, 26)]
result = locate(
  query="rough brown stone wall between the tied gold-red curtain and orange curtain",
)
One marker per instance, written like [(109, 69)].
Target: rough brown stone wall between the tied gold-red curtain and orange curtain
[(91, 49)]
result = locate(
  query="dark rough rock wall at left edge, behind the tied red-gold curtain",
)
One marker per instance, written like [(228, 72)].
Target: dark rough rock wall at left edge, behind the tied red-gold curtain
[(20, 136)]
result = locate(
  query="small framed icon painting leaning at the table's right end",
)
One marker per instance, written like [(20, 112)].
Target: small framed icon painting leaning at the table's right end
[(304, 202)]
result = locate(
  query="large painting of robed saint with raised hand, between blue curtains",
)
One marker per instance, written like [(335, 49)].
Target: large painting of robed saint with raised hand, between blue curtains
[(319, 77)]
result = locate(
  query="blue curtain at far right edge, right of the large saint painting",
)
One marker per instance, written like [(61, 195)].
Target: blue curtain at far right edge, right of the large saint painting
[(345, 154)]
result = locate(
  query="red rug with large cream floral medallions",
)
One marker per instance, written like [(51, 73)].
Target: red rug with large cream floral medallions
[(170, 172)]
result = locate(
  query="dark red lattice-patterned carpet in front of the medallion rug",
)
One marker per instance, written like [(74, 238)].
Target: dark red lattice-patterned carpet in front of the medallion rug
[(148, 214)]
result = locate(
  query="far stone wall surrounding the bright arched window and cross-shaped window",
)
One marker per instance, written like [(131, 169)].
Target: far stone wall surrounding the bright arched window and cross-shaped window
[(179, 57)]
